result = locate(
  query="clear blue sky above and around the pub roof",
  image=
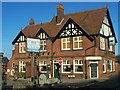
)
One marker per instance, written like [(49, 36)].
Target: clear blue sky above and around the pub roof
[(16, 15)]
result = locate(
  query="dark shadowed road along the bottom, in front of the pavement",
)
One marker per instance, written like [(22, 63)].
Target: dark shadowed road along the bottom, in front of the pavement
[(112, 83)]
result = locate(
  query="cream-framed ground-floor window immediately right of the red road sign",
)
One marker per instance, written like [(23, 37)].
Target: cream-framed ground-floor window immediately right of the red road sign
[(66, 67)]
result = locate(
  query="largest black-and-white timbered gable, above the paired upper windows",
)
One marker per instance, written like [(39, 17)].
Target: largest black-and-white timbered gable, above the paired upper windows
[(71, 29)]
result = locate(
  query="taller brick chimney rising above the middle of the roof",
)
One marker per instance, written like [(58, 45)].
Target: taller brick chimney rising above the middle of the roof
[(60, 13)]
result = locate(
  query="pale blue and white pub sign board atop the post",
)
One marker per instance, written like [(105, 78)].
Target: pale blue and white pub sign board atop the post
[(33, 45)]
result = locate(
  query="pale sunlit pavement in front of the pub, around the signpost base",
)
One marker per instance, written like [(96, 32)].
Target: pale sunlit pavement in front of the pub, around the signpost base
[(53, 82)]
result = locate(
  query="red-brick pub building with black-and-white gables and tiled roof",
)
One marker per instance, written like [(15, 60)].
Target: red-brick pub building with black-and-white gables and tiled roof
[(78, 45)]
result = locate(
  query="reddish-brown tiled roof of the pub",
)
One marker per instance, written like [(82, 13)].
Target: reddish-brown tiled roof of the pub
[(90, 21)]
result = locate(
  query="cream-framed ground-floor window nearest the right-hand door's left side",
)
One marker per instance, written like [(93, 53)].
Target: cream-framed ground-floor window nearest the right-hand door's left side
[(78, 66)]
